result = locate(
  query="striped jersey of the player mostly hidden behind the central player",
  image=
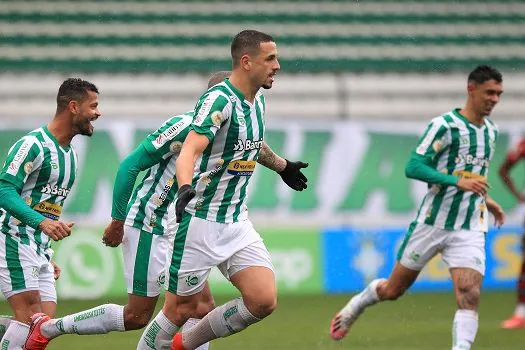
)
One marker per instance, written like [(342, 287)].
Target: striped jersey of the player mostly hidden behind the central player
[(148, 208)]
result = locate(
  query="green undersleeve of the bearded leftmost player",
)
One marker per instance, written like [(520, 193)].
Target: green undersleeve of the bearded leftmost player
[(11, 201)]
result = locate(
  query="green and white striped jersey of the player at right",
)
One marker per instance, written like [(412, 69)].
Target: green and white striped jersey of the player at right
[(461, 148)]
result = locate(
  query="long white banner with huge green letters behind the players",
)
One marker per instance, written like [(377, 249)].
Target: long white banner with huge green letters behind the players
[(356, 173)]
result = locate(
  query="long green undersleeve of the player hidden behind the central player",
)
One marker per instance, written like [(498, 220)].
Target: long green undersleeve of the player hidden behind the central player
[(127, 173)]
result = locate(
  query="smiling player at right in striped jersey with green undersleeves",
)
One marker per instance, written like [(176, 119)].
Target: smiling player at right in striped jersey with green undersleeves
[(453, 157)]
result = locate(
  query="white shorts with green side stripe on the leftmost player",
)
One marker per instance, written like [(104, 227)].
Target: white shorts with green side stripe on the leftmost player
[(22, 269)]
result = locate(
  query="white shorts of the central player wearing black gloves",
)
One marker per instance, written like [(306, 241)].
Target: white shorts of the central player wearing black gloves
[(199, 245)]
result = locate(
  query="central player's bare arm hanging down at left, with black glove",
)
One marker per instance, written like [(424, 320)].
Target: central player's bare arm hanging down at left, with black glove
[(192, 149)]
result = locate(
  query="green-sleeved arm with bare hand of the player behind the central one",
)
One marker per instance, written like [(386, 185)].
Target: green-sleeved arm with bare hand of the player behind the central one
[(127, 174)]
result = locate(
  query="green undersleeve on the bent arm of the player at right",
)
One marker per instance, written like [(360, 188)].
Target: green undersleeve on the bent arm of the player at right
[(421, 168)]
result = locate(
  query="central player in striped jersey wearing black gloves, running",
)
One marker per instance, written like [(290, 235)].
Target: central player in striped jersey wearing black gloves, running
[(216, 163)]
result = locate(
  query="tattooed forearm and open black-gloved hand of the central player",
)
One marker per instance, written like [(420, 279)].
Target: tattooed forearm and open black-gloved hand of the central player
[(289, 171)]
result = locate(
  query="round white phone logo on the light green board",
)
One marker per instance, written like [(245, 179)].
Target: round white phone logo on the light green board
[(78, 279)]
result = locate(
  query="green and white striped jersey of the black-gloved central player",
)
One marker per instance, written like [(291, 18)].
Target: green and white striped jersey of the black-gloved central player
[(235, 128)]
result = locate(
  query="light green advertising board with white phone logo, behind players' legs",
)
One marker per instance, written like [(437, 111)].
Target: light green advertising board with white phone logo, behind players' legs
[(91, 270)]
